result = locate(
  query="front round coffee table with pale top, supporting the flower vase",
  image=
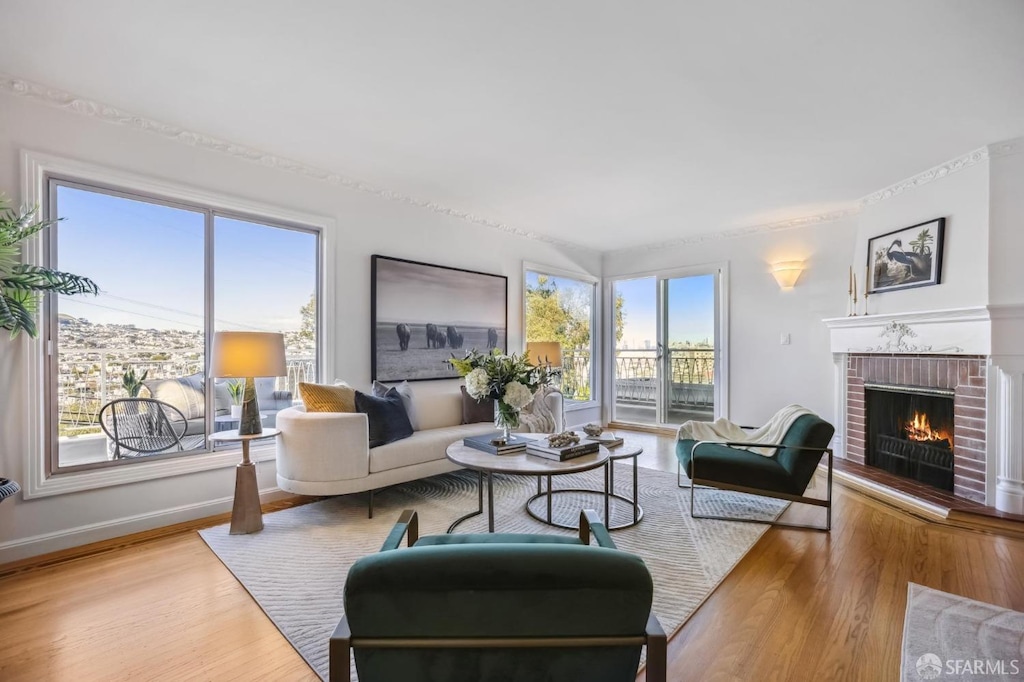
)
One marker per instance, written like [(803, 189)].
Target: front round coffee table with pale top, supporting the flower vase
[(519, 464)]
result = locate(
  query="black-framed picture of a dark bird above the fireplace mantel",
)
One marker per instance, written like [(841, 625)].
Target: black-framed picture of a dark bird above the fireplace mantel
[(907, 259)]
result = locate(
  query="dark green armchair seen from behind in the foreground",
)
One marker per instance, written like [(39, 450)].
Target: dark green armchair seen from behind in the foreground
[(498, 607)]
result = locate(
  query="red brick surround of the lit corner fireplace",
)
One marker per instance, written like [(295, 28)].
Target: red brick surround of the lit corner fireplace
[(963, 378)]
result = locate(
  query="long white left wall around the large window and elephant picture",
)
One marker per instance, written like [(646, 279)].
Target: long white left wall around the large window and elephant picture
[(366, 225)]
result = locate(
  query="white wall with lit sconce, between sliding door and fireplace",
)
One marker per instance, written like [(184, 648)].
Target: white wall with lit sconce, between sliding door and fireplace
[(764, 375)]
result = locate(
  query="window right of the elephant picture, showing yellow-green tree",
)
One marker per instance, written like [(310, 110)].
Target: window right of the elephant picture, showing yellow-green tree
[(561, 309)]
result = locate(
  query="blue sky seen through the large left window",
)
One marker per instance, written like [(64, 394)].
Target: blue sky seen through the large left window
[(149, 263)]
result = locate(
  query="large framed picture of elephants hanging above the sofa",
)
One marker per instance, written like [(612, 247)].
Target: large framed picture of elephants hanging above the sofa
[(421, 315)]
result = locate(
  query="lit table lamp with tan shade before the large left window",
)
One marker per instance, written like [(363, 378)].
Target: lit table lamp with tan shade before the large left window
[(246, 356)]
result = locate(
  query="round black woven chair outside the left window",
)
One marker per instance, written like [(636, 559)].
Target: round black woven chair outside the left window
[(159, 435)]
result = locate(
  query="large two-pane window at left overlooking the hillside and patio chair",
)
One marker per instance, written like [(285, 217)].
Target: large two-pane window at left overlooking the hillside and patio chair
[(134, 360)]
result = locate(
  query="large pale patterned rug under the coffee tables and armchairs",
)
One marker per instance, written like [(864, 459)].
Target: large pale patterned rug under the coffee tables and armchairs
[(295, 569)]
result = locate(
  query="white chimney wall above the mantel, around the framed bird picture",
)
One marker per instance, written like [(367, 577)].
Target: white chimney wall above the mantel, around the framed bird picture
[(961, 198)]
